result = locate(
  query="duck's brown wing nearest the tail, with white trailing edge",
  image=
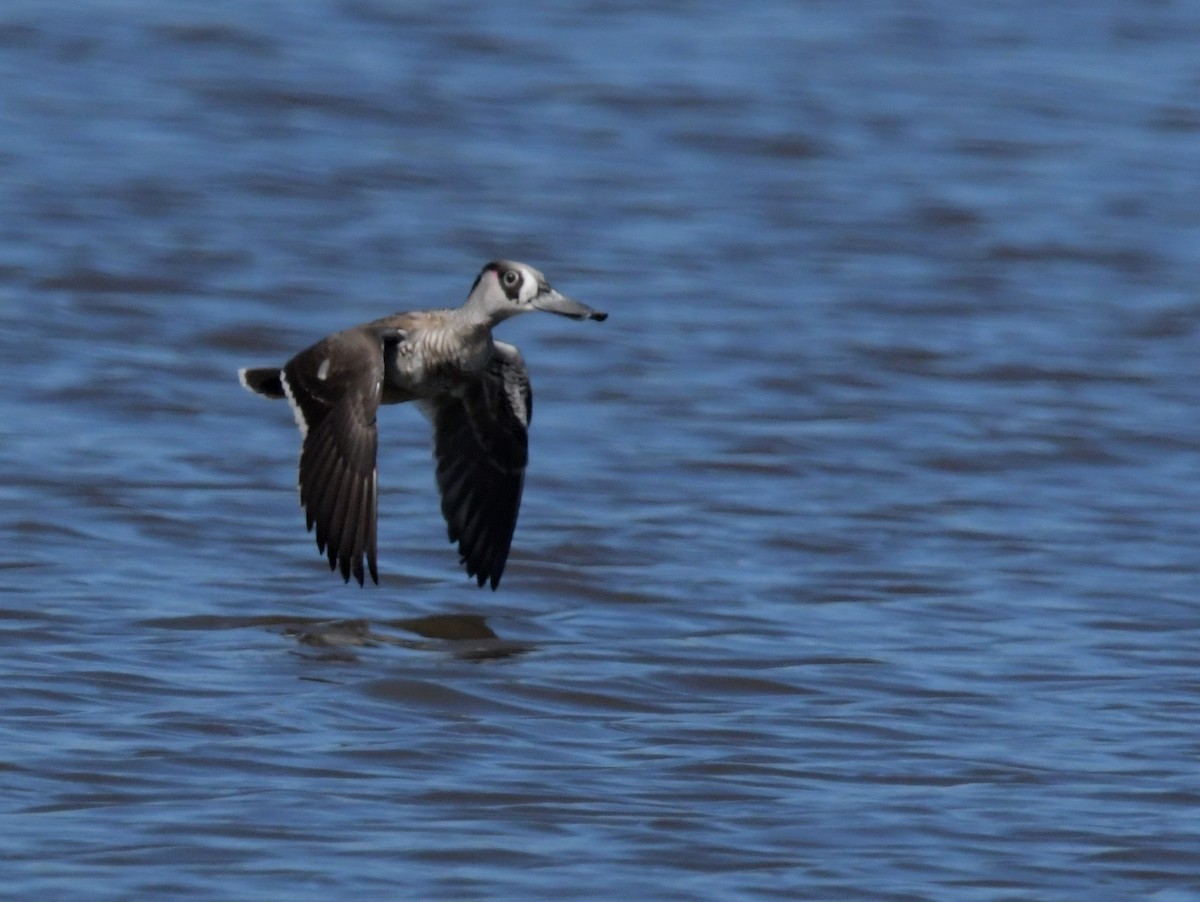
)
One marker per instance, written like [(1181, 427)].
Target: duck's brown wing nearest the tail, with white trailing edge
[(334, 389)]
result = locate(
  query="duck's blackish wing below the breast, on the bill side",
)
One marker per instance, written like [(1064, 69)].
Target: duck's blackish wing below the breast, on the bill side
[(482, 447)]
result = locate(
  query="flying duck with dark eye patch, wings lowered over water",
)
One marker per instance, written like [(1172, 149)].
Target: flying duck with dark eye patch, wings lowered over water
[(475, 390)]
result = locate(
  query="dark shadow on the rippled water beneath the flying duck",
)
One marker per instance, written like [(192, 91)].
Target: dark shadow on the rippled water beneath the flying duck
[(464, 636)]
